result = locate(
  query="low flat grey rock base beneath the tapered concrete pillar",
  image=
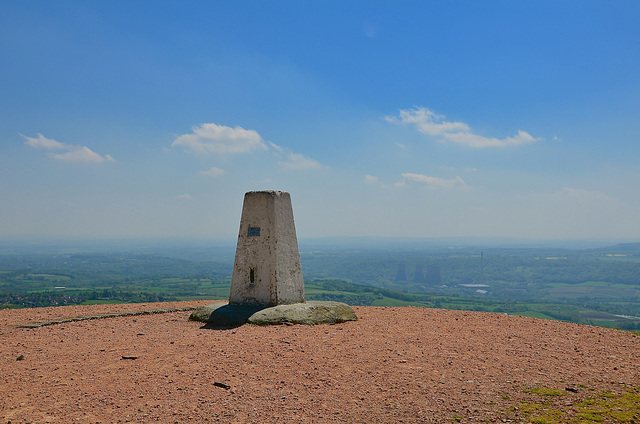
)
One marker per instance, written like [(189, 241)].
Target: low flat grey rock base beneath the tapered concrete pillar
[(309, 313)]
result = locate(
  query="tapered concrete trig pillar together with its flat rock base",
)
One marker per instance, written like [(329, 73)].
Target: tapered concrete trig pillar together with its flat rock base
[(267, 285)]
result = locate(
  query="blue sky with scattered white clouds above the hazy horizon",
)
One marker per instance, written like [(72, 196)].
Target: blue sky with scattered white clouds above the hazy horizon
[(405, 118)]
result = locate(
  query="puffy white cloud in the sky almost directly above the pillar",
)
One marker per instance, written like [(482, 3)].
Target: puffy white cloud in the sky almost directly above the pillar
[(219, 139)]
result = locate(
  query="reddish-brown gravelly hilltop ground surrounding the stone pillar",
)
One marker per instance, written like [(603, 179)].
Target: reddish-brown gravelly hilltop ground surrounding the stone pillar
[(394, 365)]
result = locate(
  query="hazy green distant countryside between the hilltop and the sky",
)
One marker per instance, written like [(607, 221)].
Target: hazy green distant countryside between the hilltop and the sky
[(595, 286)]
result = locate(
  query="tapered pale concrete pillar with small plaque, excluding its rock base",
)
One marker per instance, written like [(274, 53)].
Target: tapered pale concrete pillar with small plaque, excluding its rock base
[(267, 269)]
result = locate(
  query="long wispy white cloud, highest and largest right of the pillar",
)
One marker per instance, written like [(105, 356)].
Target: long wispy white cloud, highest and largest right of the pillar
[(430, 123)]
